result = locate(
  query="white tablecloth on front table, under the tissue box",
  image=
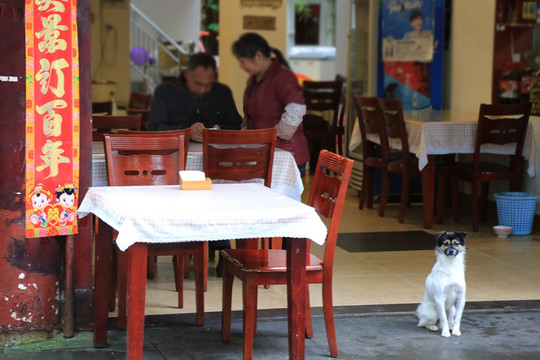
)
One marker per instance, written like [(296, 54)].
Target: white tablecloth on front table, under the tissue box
[(228, 211)]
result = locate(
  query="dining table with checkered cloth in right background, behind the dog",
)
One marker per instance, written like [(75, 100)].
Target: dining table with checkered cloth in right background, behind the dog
[(440, 132)]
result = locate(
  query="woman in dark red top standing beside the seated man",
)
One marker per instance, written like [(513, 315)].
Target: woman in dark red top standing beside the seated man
[(272, 97)]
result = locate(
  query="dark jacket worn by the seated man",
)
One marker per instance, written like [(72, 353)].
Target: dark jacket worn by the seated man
[(174, 107)]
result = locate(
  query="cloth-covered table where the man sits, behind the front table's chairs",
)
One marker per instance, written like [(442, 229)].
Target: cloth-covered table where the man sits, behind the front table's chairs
[(286, 177)]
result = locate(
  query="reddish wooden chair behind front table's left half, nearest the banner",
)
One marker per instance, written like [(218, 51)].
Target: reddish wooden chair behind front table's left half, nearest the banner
[(153, 159)]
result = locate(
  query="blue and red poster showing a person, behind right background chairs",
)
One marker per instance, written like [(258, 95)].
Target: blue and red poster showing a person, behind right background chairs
[(410, 52)]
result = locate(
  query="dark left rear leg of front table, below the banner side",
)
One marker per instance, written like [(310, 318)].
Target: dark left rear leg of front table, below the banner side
[(102, 282)]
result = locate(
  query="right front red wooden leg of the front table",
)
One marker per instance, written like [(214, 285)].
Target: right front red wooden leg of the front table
[(296, 296)]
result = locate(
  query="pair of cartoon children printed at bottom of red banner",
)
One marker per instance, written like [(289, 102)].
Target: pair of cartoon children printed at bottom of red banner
[(45, 214)]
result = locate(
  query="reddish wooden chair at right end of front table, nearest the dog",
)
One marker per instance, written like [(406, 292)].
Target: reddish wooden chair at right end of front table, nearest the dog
[(267, 266)]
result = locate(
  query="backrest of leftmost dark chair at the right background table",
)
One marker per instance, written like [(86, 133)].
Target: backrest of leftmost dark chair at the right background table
[(369, 120)]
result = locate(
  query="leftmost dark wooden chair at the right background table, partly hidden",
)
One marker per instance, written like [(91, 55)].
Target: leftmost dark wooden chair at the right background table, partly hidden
[(370, 123)]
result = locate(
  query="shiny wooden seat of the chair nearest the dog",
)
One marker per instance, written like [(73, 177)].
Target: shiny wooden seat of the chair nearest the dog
[(265, 260)]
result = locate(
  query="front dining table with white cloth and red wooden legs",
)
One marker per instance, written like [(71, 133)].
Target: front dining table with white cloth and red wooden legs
[(168, 214)]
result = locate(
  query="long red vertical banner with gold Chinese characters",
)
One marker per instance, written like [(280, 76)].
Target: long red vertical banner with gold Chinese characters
[(52, 117)]
